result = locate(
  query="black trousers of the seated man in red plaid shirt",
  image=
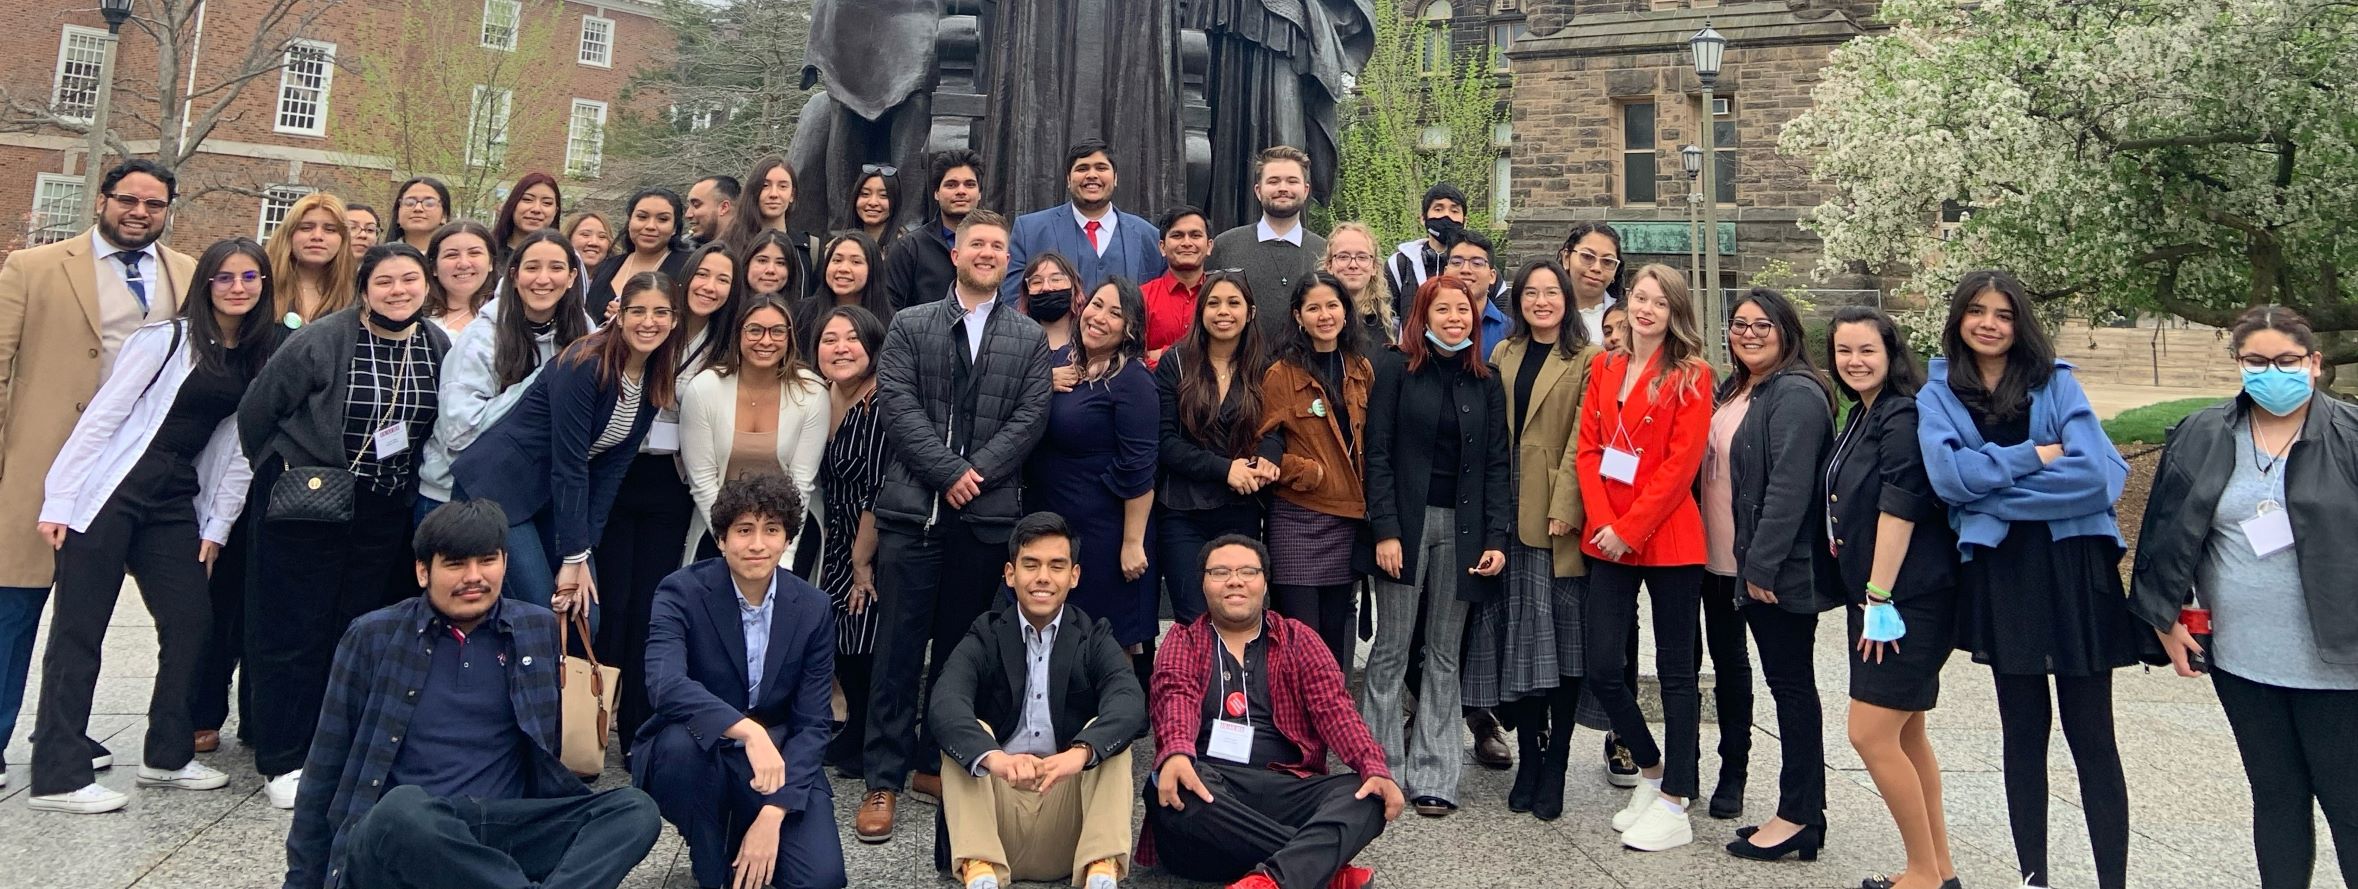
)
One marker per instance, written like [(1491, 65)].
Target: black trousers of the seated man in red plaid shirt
[(1298, 831)]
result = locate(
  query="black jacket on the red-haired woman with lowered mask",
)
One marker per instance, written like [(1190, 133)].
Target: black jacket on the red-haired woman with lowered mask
[(1404, 416)]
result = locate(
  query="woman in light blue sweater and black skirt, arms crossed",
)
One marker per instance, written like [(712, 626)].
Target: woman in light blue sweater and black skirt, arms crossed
[(2029, 478)]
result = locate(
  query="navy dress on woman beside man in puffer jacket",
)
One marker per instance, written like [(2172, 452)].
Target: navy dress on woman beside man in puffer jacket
[(1100, 452)]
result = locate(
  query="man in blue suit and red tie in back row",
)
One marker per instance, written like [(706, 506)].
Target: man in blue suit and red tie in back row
[(1088, 230)]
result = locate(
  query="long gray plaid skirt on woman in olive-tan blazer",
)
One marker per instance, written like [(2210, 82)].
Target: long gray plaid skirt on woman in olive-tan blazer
[(1529, 638)]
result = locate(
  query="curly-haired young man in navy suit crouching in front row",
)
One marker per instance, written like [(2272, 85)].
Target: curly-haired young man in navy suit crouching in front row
[(739, 666)]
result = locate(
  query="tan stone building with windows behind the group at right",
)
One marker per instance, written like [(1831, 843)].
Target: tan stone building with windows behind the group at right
[(1605, 98)]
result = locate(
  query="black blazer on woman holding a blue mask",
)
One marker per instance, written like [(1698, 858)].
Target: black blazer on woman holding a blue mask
[(1878, 466)]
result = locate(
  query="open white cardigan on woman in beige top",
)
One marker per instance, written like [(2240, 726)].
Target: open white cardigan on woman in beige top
[(709, 433)]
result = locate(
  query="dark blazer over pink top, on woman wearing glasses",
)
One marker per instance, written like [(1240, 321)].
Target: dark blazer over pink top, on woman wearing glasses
[(1779, 489)]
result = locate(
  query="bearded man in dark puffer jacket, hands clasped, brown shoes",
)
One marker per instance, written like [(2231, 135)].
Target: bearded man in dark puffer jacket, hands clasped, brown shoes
[(963, 390)]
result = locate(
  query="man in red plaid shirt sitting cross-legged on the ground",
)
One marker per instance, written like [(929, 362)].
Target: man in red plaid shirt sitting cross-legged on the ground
[(1246, 706)]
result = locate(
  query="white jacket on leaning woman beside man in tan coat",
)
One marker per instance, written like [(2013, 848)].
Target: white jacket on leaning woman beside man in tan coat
[(119, 428)]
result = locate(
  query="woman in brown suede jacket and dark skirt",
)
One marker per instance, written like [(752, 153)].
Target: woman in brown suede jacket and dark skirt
[(1315, 409)]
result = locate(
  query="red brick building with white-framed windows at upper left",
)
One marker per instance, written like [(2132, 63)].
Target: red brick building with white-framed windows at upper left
[(303, 126)]
